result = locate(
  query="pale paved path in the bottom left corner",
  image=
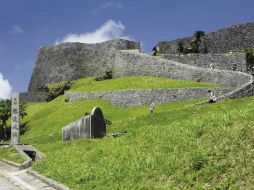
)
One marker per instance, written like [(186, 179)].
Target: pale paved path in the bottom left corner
[(14, 179)]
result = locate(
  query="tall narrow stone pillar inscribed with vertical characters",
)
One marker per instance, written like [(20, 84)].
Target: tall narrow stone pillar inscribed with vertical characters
[(15, 118)]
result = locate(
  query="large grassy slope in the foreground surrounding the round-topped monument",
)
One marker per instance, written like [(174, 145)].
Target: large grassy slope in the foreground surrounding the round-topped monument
[(177, 147)]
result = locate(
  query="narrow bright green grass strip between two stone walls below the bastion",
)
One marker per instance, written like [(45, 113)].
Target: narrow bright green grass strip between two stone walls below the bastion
[(145, 82)]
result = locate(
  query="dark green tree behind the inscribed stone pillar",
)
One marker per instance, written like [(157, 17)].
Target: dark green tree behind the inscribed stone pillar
[(5, 114)]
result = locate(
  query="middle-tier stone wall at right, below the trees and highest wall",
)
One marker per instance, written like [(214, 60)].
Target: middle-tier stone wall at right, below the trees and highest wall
[(219, 61)]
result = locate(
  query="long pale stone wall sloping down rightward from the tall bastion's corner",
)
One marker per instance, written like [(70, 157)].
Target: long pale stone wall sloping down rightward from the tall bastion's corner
[(130, 63)]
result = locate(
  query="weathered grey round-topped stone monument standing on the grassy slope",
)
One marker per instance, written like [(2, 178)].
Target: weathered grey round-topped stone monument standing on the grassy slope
[(89, 126)]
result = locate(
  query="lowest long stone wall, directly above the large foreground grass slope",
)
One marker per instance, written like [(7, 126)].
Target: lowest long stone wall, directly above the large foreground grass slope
[(132, 98)]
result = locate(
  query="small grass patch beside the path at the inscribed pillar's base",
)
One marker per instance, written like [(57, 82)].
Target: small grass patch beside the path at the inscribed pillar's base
[(11, 154)]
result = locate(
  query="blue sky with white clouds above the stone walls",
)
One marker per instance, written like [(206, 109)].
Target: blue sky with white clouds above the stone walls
[(25, 25)]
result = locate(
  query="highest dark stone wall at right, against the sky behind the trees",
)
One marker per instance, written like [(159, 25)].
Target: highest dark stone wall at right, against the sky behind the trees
[(233, 38)]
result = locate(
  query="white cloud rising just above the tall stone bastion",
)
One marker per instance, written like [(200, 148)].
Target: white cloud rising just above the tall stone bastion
[(108, 31)]
